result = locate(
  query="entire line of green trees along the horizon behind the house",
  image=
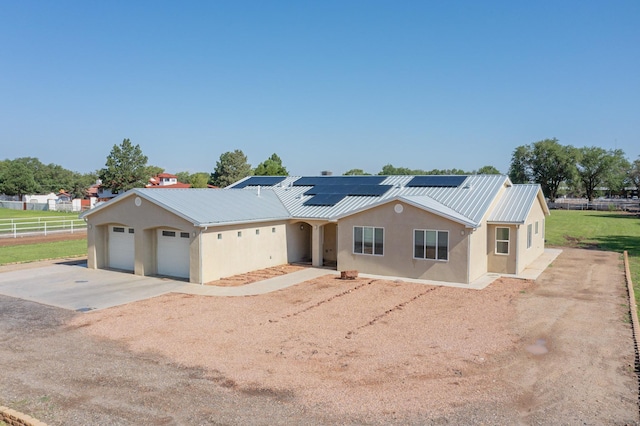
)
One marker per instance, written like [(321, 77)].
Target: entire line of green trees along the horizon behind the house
[(548, 163)]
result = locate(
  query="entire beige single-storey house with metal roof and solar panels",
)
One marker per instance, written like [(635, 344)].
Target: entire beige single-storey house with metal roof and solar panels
[(444, 228)]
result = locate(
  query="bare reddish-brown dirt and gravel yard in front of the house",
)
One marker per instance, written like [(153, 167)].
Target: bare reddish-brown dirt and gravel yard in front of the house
[(555, 351)]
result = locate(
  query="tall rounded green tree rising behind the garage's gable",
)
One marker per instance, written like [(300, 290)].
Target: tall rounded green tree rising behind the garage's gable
[(126, 168)]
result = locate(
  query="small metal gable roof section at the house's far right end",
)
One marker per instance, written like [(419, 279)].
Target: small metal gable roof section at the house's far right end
[(516, 203)]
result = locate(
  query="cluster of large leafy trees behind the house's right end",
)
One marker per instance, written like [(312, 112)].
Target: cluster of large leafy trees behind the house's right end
[(585, 171)]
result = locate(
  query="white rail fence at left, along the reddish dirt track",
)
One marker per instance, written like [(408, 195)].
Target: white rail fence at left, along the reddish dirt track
[(40, 226)]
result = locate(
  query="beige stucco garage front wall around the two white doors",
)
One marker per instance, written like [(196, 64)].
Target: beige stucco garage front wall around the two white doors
[(145, 219)]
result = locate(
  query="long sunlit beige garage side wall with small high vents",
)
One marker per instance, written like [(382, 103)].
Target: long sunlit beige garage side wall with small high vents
[(232, 254)]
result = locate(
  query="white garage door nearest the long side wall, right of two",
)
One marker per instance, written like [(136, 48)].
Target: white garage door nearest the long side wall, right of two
[(173, 253)]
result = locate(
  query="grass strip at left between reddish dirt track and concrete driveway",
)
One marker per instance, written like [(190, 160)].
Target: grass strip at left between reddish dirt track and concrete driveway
[(34, 252)]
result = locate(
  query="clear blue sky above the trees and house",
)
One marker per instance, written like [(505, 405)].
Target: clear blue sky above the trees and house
[(327, 85)]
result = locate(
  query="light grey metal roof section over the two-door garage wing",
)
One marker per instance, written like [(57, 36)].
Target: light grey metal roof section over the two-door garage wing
[(209, 207)]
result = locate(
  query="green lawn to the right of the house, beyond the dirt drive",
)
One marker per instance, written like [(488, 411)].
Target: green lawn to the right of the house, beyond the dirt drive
[(610, 231)]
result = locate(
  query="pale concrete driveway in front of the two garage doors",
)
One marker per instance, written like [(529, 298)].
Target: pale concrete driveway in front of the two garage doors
[(73, 286)]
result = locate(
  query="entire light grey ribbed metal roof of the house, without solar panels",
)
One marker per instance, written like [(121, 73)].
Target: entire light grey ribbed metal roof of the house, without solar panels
[(467, 203)]
